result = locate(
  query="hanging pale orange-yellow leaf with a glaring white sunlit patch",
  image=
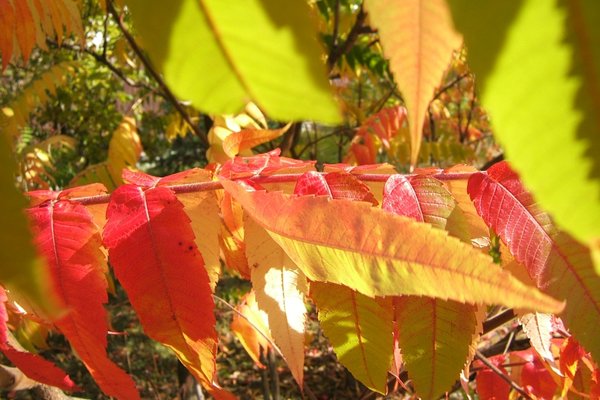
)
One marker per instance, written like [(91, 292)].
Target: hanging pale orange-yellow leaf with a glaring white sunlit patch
[(280, 287)]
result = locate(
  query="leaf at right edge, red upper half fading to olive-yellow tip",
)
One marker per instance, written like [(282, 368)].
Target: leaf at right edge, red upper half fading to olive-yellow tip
[(559, 265)]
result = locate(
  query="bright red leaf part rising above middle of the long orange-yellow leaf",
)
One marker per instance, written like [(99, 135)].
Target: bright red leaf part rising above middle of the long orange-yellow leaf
[(336, 185)]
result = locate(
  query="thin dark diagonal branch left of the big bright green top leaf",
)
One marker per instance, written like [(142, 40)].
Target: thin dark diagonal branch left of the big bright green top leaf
[(148, 65)]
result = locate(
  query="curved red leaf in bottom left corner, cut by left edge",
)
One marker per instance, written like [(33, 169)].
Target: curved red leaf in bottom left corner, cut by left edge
[(31, 365)]
